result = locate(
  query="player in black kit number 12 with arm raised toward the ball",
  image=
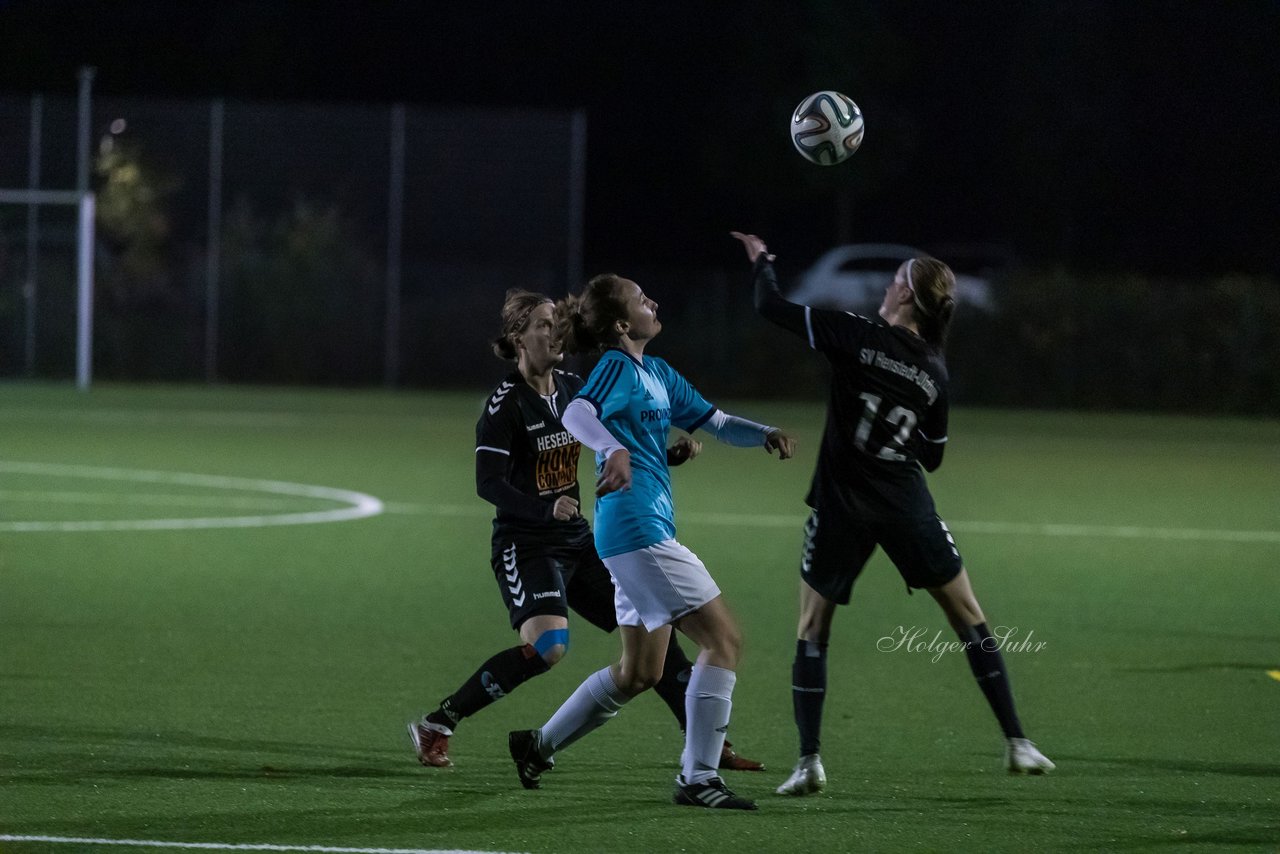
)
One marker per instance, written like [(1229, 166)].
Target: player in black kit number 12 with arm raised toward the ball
[(886, 418)]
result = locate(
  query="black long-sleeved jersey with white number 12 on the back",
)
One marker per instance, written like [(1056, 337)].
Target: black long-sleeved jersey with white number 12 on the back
[(888, 409)]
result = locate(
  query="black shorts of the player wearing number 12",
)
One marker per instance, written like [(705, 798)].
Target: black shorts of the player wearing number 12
[(838, 549)]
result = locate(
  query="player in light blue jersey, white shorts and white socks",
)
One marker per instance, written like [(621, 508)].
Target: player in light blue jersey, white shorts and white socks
[(624, 413)]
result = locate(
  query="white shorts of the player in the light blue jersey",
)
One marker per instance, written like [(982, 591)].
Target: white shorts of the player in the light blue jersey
[(659, 584)]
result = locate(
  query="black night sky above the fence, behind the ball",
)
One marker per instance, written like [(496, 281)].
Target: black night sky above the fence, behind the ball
[(1114, 135)]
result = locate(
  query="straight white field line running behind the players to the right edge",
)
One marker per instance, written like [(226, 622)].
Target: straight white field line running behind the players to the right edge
[(1008, 529)]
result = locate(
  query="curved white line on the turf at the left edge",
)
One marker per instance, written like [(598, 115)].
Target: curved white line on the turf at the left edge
[(356, 505)]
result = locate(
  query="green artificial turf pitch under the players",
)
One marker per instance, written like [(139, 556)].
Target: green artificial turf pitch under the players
[(252, 686)]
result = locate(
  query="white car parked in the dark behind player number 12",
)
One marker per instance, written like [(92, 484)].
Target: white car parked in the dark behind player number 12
[(854, 278)]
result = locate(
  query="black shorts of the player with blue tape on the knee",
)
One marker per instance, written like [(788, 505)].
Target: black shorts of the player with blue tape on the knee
[(540, 579)]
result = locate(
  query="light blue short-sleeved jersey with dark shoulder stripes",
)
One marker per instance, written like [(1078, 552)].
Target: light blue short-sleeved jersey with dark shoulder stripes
[(638, 403)]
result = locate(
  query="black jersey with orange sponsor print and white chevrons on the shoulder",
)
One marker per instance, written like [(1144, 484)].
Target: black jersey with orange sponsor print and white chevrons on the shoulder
[(525, 459)]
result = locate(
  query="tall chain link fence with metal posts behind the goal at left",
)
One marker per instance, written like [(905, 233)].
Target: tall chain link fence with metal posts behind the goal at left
[(285, 243)]
